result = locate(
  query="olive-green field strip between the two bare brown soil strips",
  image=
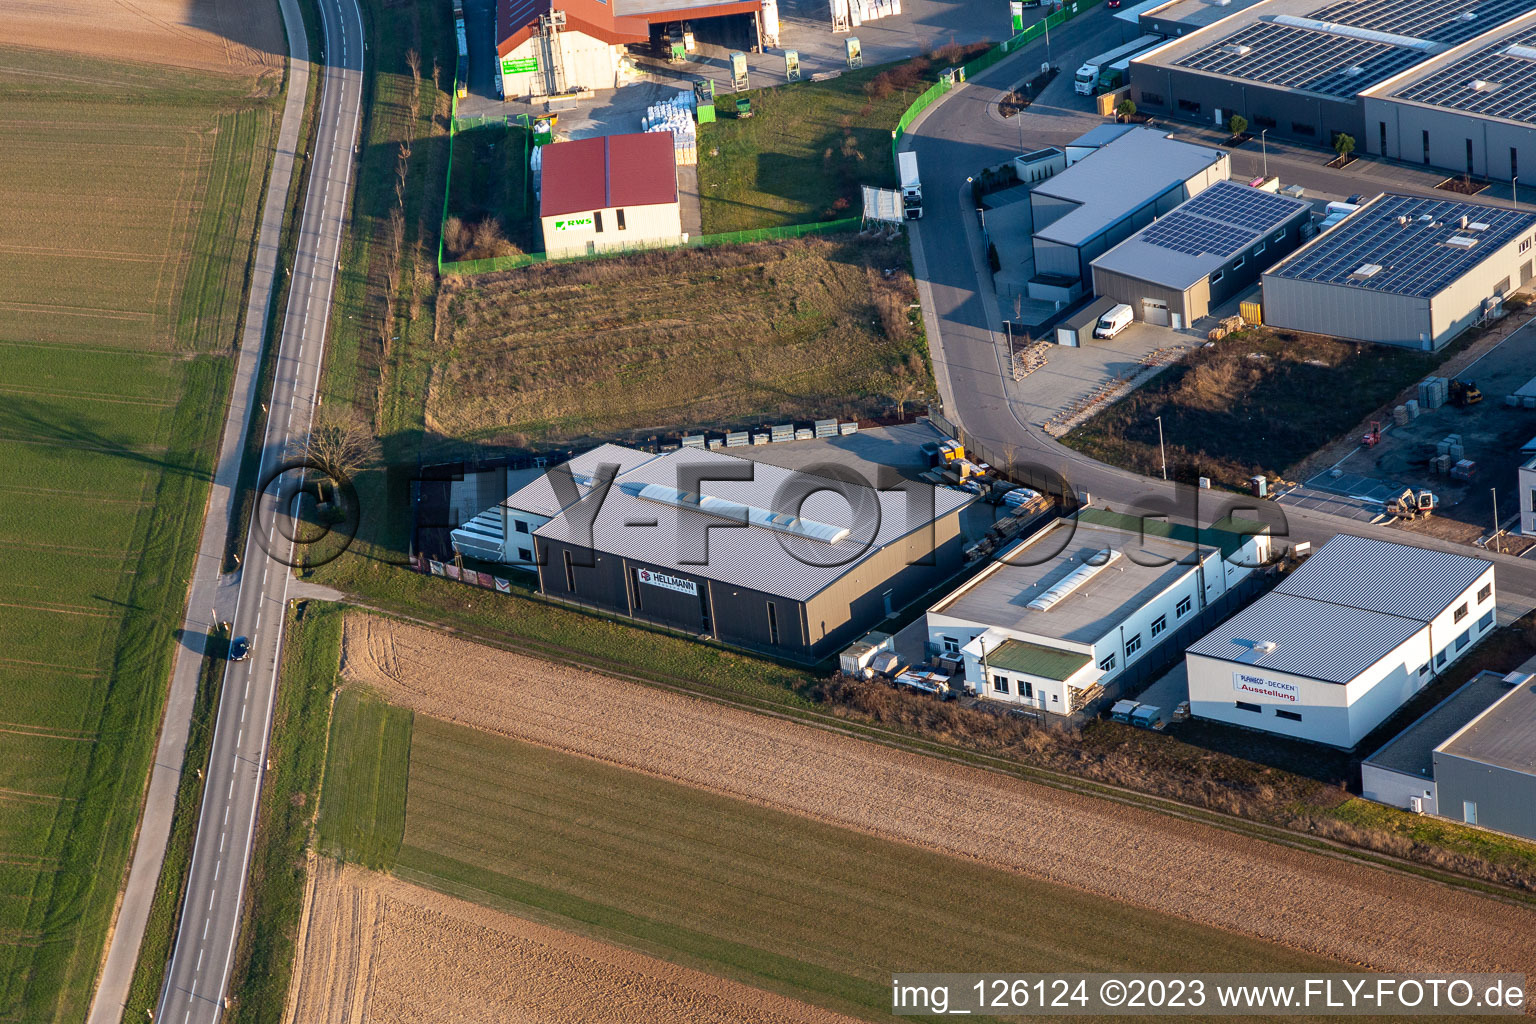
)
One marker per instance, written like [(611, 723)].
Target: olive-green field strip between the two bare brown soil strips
[(770, 899)]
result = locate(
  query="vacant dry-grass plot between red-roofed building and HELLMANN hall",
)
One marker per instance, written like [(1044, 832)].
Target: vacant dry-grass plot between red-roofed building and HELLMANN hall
[(801, 329)]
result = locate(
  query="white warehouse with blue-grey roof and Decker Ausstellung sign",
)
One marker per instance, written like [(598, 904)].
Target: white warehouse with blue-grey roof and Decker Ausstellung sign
[(1343, 642)]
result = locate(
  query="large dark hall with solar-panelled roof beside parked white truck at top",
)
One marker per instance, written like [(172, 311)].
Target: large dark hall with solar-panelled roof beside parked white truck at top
[(1302, 68)]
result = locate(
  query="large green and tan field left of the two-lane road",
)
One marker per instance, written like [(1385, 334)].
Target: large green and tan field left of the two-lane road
[(131, 199)]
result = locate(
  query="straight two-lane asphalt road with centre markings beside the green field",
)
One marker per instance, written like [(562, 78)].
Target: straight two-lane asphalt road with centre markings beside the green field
[(196, 983)]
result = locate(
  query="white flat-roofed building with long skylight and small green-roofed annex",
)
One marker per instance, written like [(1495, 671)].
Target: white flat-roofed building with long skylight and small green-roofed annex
[(1071, 609)]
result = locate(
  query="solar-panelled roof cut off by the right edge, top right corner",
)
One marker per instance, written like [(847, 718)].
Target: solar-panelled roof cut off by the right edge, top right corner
[(1497, 79)]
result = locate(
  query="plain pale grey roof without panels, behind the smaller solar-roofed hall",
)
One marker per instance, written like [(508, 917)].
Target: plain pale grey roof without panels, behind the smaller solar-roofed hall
[(1119, 179)]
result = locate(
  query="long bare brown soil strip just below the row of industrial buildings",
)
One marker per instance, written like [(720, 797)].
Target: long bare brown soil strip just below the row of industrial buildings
[(1348, 911)]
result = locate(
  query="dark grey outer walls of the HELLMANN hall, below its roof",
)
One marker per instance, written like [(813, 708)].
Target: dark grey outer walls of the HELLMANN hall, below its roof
[(804, 630)]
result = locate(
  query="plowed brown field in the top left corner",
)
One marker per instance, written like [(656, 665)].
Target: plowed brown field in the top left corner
[(240, 36)]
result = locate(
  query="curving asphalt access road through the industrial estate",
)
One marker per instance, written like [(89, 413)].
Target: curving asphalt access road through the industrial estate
[(962, 134)]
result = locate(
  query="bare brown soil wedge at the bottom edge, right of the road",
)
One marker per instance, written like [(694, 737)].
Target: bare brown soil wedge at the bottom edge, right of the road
[(379, 950)]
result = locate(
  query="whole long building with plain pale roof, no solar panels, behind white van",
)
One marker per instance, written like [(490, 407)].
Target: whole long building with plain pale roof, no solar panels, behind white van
[(1124, 183)]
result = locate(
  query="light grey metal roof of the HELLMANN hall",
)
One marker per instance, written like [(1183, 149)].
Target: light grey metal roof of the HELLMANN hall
[(750, 557)]
